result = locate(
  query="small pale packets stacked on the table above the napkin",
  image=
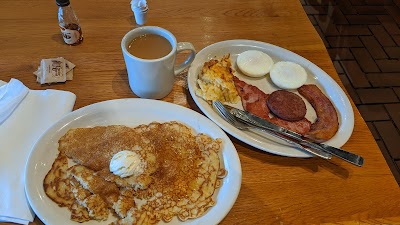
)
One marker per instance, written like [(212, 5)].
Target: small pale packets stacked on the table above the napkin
[(54, 70)]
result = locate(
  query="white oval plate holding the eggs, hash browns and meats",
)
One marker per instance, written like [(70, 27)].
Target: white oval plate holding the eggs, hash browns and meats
[(315, 76)]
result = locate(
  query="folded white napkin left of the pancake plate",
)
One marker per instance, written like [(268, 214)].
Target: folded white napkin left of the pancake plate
[(18, 133)]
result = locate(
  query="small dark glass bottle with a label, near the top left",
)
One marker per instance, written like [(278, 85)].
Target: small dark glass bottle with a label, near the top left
[(69, 23)]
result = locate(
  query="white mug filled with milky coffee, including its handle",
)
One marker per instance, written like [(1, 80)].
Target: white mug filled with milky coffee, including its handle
[(150, 55)]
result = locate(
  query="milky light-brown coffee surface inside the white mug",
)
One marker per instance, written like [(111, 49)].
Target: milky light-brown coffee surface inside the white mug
[(149, 46)]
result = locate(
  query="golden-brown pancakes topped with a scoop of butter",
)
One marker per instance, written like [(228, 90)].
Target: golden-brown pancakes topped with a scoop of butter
[(174, 172)]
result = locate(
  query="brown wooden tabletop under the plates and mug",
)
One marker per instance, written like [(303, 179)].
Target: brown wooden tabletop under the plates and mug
[(275, 189)]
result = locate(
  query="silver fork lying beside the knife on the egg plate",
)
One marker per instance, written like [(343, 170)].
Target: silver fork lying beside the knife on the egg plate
[(227, 116)]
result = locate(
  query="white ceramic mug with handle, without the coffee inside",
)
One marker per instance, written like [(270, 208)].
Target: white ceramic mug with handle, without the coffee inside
[(154, 78)]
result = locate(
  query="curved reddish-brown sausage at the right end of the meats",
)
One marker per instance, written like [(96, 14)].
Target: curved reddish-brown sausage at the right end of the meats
[(327, 123)]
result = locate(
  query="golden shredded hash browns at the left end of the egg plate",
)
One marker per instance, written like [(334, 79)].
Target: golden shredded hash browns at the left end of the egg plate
[(215, 81)]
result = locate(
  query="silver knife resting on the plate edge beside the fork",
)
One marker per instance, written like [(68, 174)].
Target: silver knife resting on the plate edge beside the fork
[(257, 121)]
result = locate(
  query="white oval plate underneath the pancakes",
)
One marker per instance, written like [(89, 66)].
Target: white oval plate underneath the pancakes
[(129, 112)]
